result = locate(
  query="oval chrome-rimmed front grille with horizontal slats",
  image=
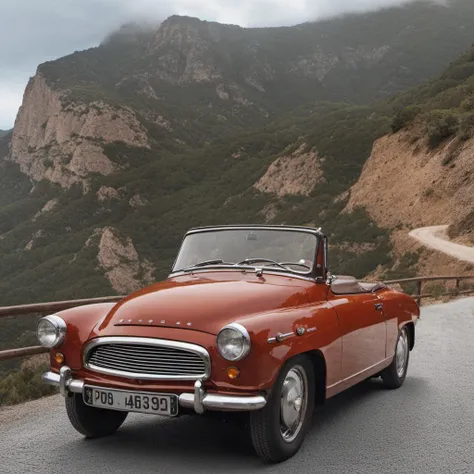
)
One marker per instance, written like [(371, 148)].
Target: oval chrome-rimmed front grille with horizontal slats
[(143, 358)]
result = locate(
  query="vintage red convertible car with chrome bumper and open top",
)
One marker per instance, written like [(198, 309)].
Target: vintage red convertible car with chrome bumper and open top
[(249, 320)]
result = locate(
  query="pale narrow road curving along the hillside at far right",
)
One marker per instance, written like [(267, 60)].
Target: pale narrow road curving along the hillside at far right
[(436, 237)]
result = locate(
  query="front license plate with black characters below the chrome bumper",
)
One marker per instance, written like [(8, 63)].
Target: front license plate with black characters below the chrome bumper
[(141, 402)]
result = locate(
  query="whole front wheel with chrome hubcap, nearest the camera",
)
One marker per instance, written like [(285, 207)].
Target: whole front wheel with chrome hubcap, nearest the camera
[(278, 429)]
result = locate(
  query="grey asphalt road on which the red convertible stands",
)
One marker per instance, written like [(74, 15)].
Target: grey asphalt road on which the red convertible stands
[(427, 426)]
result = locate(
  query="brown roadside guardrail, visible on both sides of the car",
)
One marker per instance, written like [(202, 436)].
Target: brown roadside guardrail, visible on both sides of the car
[(43, 308)]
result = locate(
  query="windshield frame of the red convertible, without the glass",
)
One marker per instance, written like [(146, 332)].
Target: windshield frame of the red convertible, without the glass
[(311, 274)]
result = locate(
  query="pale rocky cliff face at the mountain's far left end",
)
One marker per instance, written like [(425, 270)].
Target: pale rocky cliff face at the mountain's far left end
[(63, 143)]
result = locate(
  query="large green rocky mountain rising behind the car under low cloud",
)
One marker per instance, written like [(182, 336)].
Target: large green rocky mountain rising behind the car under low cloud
[(117, 150)]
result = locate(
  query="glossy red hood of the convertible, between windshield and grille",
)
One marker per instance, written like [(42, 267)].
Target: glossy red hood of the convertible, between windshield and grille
[(204, 302)]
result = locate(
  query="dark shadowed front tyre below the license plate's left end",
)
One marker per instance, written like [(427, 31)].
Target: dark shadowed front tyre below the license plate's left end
[(93, 422)]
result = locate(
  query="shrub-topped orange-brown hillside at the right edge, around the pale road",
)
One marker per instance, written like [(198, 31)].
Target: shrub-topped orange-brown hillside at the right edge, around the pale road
[(424, 172)]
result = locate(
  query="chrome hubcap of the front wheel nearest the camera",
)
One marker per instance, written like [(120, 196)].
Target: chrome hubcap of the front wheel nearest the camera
[(293, 403)]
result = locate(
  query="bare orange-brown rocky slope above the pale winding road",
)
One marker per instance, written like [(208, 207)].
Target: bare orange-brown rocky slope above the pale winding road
[(405, 183)]
